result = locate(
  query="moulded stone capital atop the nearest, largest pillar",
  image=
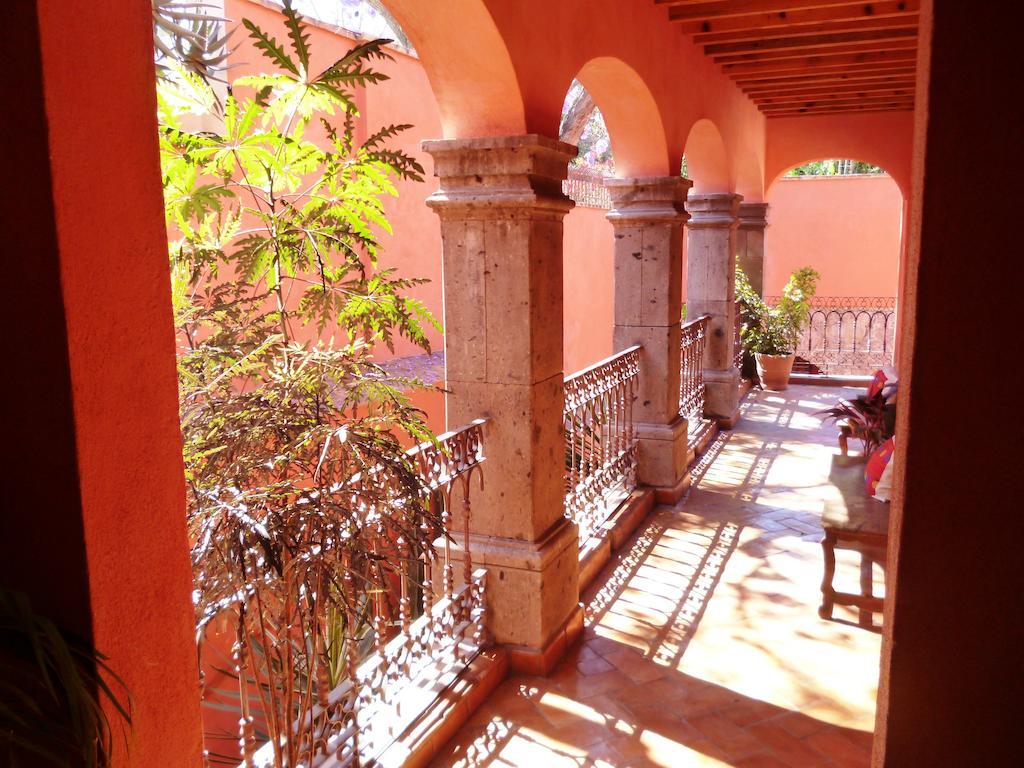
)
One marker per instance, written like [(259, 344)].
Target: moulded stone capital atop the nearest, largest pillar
[(491, 177)]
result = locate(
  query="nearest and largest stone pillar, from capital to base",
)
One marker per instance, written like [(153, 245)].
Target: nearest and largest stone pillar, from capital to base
[(501, 206)]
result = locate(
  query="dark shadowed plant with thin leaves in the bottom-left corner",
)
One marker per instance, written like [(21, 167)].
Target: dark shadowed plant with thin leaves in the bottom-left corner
[(55, 693)]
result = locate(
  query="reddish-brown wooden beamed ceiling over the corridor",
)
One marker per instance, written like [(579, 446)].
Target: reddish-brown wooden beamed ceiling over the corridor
[(809, 57)]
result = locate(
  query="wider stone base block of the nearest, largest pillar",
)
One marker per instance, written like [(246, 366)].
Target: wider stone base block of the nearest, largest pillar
[(533, 587)]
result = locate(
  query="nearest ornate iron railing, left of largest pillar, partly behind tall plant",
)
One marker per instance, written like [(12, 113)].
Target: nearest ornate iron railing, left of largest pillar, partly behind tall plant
[(414, 659)]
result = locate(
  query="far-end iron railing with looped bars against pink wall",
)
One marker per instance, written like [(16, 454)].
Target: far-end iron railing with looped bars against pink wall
[(848, 335)]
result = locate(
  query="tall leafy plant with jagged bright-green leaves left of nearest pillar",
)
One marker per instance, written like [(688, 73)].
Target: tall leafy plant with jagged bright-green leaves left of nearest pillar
[(303, 505)]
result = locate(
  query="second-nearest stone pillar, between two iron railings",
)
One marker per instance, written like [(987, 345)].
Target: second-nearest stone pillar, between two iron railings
[(649, 216)]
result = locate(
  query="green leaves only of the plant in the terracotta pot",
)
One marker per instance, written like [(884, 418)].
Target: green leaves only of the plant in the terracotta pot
[(776, 330)]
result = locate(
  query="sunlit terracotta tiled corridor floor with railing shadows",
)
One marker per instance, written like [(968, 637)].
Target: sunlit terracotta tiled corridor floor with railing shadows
[(703, 645)]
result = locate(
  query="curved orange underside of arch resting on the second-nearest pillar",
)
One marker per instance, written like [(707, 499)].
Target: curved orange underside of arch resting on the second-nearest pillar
[(631, 114)]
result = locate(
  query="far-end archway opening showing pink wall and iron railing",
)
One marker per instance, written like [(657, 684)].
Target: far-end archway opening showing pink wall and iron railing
[(844, 218)]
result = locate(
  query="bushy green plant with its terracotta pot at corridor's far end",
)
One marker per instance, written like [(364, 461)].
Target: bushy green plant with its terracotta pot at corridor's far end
[(773, 333)]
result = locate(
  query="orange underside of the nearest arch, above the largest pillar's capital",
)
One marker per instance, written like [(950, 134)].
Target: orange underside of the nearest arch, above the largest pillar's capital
[(468, 66)]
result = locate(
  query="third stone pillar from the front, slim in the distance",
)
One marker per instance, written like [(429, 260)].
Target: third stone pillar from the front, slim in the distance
[(711, 290)]
